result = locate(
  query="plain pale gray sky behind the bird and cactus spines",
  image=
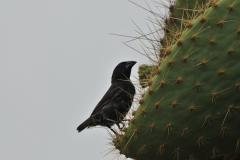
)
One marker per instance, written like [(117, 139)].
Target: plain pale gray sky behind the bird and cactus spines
[(56, 61)]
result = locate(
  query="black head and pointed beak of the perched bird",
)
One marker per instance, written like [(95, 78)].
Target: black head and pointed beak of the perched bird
[(123, 71)]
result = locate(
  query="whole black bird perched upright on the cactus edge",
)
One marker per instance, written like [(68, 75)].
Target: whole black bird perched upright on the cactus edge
[(116, 102)]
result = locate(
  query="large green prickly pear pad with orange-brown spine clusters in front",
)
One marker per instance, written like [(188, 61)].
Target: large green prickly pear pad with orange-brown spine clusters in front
[(192, 107)]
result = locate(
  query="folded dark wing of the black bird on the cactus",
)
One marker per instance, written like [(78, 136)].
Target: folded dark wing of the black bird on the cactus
[(113, 92)]
